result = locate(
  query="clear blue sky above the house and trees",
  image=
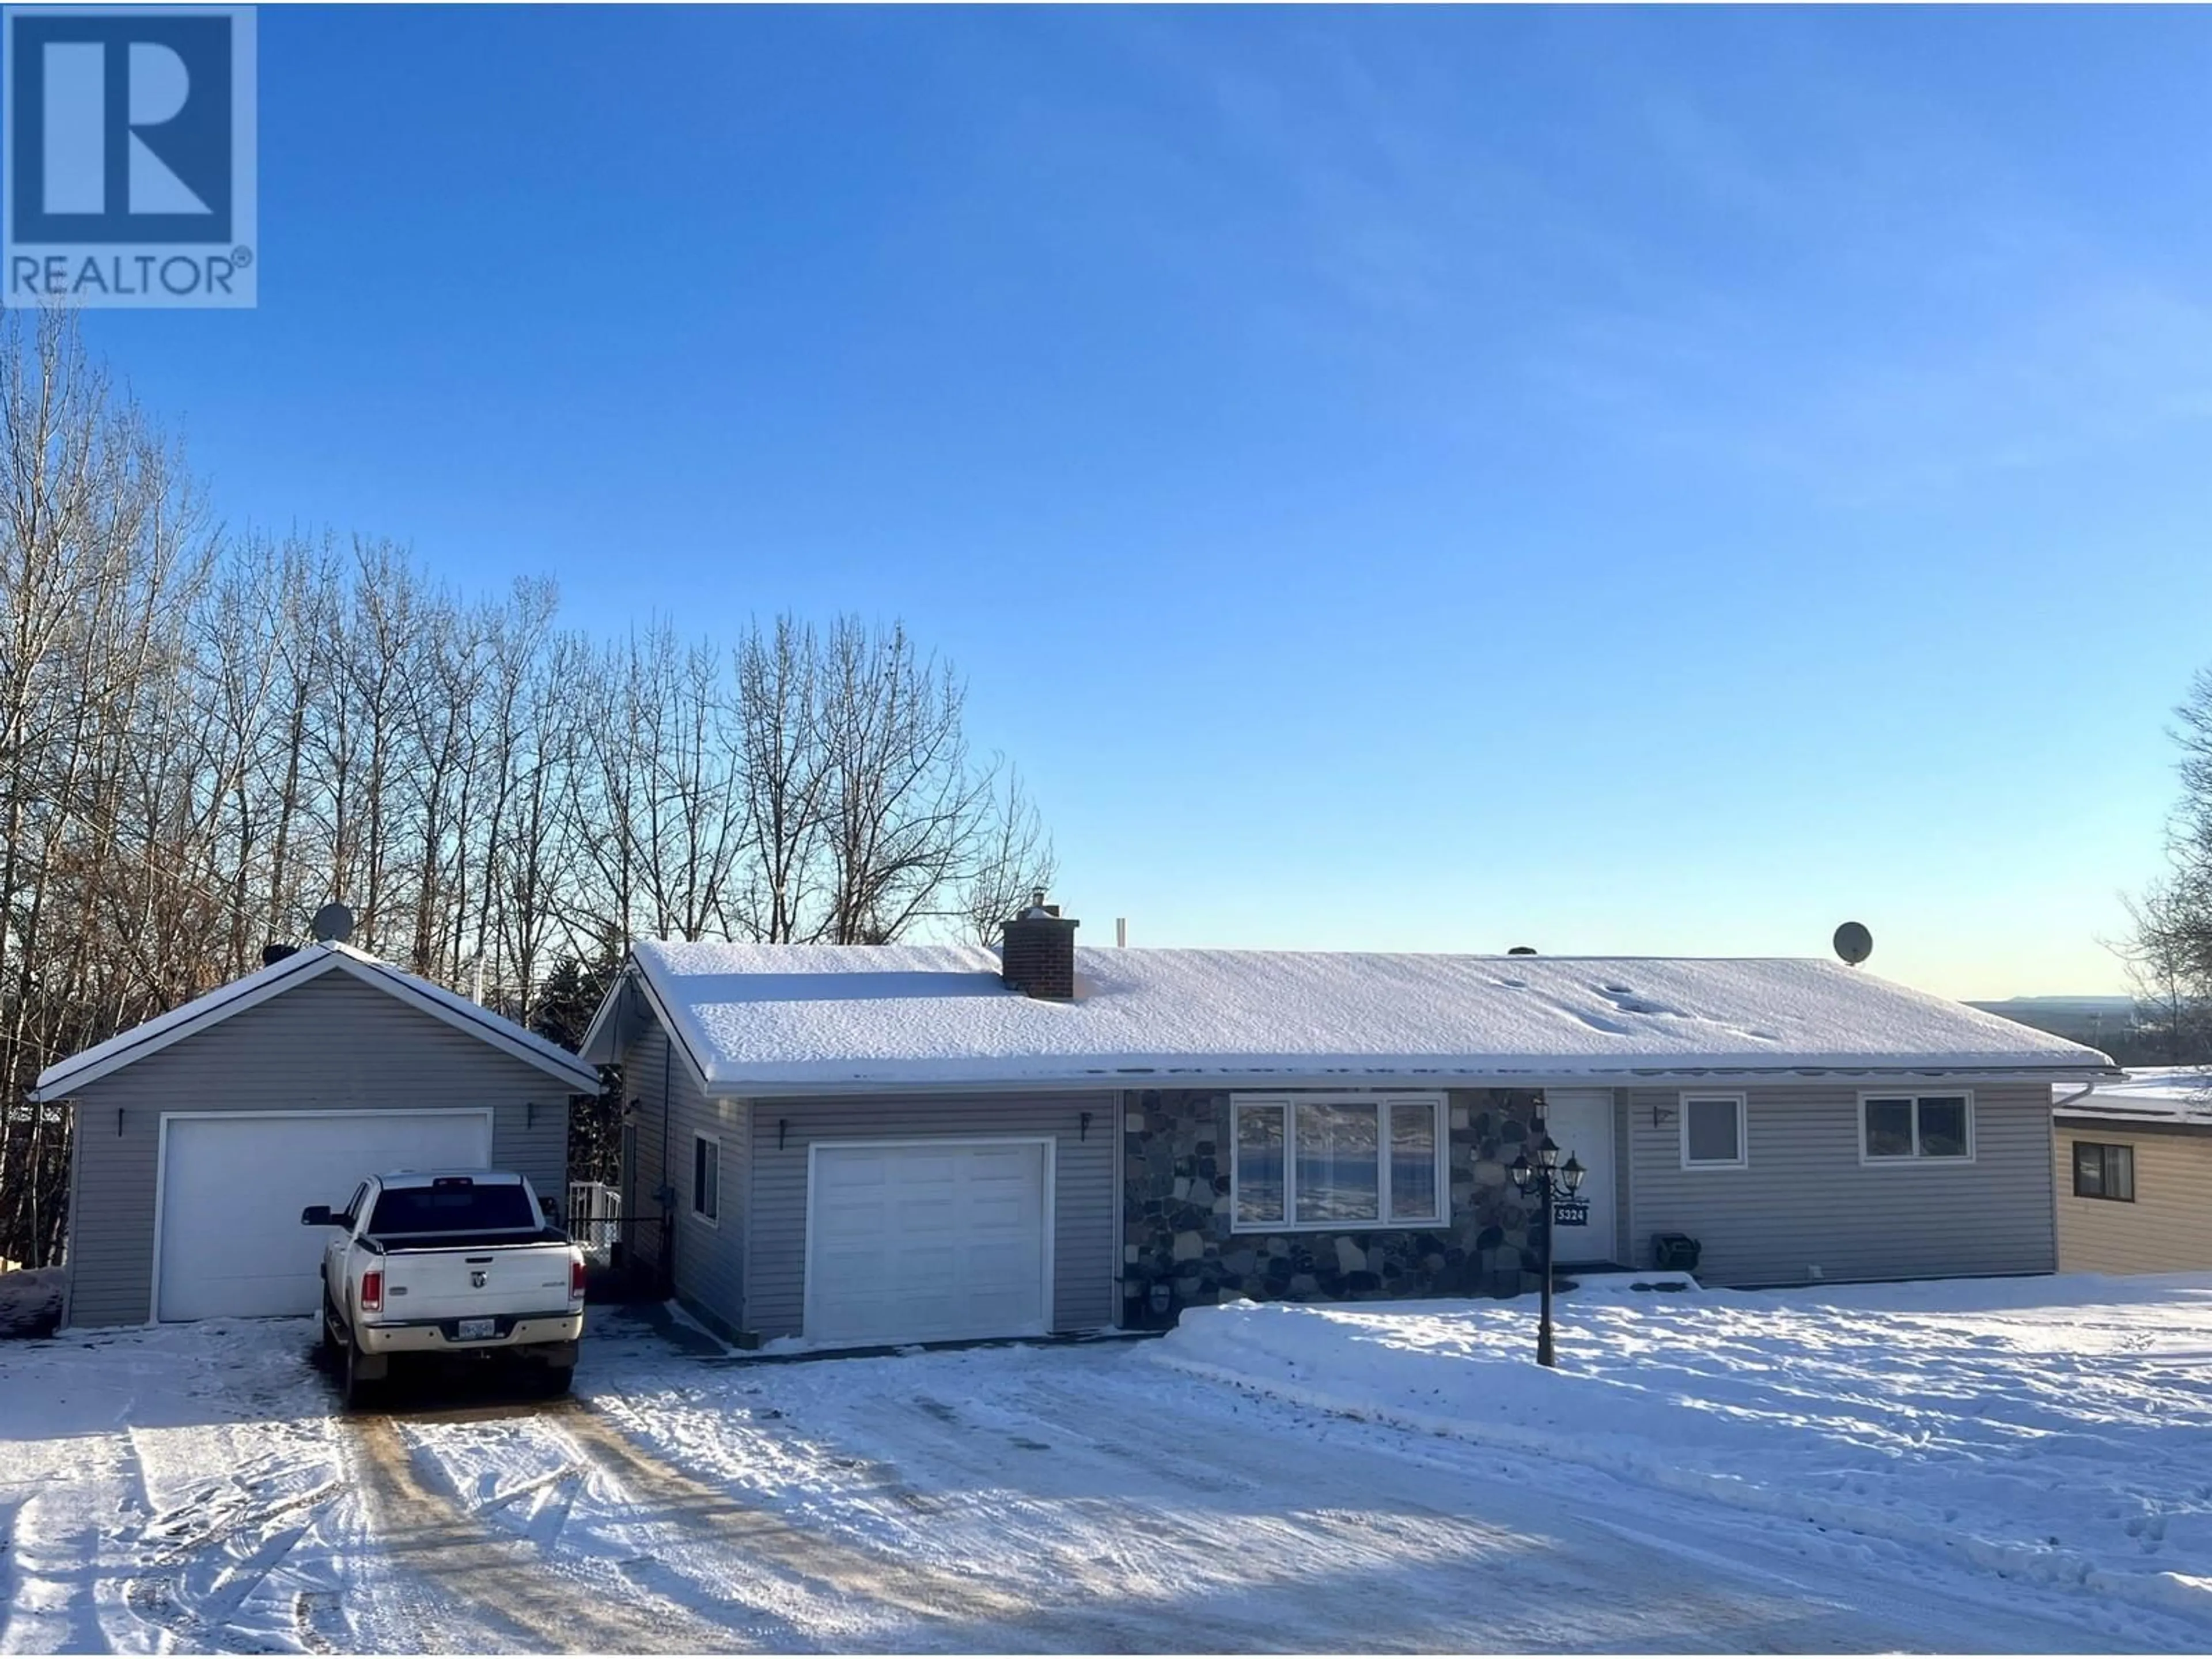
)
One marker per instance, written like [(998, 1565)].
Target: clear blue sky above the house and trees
[(1656, 481)]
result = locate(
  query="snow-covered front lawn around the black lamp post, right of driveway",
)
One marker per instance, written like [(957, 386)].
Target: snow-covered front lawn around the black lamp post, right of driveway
[(2054, 1430)]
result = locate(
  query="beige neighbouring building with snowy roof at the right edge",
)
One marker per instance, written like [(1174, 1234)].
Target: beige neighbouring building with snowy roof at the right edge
[(2133, 1176)]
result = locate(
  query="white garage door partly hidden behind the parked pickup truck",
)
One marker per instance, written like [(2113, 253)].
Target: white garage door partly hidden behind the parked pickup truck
[(233, 1189)]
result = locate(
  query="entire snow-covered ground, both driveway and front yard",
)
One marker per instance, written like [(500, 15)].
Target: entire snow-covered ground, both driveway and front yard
[(194, 1490)]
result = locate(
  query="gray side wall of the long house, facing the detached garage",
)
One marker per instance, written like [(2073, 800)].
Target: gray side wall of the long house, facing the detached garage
[(709, 1271)]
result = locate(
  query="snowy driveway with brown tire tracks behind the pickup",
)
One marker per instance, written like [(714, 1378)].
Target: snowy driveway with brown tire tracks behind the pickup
[(194, 1490)]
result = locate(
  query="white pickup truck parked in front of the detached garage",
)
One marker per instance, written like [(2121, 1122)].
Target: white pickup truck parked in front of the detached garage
[(448, 1264)]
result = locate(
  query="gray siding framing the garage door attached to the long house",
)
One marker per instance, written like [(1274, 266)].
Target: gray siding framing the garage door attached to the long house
[(1083, 1189)]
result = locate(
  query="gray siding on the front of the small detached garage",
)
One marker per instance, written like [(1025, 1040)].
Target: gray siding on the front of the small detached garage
[(326, 1045)]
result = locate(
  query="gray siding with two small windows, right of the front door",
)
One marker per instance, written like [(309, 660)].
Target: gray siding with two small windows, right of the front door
[(1808, 1204)]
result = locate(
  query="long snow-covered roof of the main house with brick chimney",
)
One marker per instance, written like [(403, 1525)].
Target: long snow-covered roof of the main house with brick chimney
[(873, 1016)]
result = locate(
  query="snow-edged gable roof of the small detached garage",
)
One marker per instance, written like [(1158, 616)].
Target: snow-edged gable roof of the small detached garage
[(304, 966)]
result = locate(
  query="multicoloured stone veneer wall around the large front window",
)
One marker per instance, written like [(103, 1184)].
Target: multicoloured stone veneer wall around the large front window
[(1176, 1215)]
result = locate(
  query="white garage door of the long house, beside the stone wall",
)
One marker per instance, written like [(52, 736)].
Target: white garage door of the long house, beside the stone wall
[(928, 1242)]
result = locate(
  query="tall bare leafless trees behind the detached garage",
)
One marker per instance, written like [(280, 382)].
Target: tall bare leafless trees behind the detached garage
[(205, 738)]
